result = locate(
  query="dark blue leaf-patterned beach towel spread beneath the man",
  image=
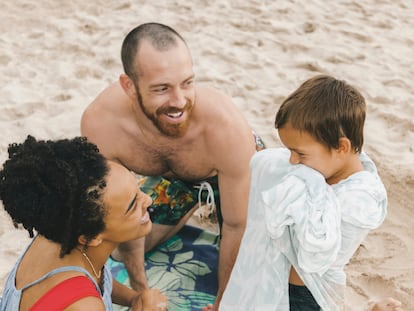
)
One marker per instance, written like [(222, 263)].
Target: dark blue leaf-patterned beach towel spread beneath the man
[(184, 268)]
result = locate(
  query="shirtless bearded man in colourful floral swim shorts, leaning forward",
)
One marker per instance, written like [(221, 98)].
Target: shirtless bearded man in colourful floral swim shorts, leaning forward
[(157, 122)]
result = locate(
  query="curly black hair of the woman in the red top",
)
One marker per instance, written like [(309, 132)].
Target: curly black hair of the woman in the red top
[(55, 188)]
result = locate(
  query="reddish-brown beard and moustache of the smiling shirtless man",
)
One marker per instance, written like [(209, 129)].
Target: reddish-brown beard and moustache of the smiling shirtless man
[(168, 129)]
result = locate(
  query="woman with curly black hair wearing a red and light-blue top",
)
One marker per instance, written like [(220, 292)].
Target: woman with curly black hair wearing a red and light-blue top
[(78, 207)]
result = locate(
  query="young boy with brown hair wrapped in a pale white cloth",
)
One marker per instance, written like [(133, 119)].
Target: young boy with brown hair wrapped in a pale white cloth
[(311, 204)]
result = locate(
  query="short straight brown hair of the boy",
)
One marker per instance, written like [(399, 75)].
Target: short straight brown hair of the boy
[(327, 109)]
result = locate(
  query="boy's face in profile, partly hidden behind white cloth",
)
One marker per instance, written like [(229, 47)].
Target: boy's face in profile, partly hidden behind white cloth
[(306, 150)]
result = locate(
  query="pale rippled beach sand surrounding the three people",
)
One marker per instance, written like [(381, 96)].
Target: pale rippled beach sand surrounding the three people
[(56, 56)]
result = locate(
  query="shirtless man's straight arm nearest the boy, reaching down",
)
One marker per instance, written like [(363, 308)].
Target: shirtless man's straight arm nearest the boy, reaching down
[(234, 186)]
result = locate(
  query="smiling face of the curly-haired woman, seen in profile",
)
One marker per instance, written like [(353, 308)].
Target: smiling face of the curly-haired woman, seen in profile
[(127, 217)]
